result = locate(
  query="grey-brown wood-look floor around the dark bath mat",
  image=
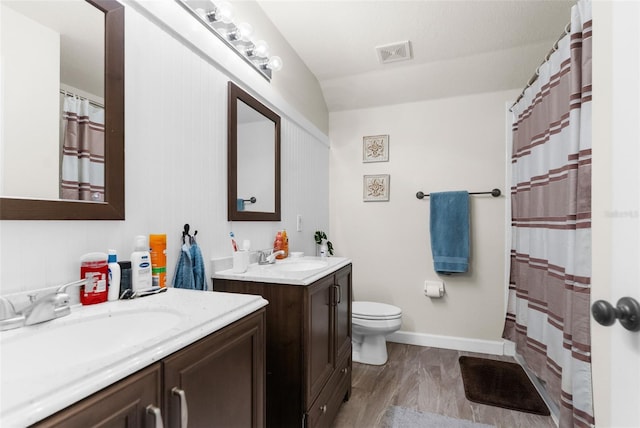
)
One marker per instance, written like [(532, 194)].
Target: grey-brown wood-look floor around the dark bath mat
[(426, 380)]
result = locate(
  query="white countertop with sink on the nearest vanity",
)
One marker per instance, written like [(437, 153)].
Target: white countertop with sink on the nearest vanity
[(38, 378)]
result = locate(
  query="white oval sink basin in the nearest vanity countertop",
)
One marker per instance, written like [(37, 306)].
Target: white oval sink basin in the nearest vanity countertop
[(63, 343)]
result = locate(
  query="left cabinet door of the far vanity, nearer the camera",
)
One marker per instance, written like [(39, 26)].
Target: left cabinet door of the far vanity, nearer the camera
[(320, 361)]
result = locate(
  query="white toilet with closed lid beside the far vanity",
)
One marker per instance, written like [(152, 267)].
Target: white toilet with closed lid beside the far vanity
[(371, 323)]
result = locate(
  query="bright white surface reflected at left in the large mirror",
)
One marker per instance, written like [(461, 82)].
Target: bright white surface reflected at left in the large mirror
[(30, 55)]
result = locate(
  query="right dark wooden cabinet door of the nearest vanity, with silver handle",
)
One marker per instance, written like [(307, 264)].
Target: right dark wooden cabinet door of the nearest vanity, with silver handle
[(220, 377)]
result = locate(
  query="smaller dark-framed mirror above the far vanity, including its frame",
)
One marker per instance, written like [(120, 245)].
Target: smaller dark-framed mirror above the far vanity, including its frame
[(253, 159)]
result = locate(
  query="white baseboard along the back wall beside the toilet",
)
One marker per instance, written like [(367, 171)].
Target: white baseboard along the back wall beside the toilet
[(492, 347)]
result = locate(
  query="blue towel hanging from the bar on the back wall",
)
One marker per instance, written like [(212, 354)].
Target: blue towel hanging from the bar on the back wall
[(449, 228)]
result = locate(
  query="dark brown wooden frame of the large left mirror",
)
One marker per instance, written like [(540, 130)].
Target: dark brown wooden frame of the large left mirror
[(14, 208)]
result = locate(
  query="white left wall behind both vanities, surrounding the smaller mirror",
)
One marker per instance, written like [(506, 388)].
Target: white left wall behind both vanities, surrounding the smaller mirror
[(175, 169)]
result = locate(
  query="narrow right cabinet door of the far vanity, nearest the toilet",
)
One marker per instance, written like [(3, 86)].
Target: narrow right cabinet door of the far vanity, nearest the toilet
[(342, 298)]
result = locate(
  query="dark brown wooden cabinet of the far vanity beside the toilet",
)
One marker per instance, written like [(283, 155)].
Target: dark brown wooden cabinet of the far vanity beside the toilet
[(308, 347)]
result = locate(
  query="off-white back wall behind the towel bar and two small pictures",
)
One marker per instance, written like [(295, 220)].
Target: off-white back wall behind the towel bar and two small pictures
[(446, 144)]
